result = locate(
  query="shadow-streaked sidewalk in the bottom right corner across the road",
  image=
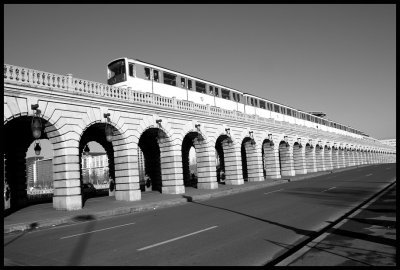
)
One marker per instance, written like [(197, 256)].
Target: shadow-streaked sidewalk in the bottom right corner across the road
[(365, 238)]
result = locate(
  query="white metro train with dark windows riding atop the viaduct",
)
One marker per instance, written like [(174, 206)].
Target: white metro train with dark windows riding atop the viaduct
[(145, 77)]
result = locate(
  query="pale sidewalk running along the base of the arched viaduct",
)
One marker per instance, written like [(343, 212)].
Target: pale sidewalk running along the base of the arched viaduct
[(44, 215)]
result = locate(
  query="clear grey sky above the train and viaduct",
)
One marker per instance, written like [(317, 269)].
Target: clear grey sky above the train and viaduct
[(339, 59)]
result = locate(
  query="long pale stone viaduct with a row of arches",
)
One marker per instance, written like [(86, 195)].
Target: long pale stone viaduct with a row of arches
[(72, 111)]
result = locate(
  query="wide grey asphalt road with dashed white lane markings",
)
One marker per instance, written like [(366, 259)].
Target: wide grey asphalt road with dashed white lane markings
[(249, 228)]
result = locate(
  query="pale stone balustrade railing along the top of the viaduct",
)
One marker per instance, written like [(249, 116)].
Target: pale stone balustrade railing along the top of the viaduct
[(66, 83)]
